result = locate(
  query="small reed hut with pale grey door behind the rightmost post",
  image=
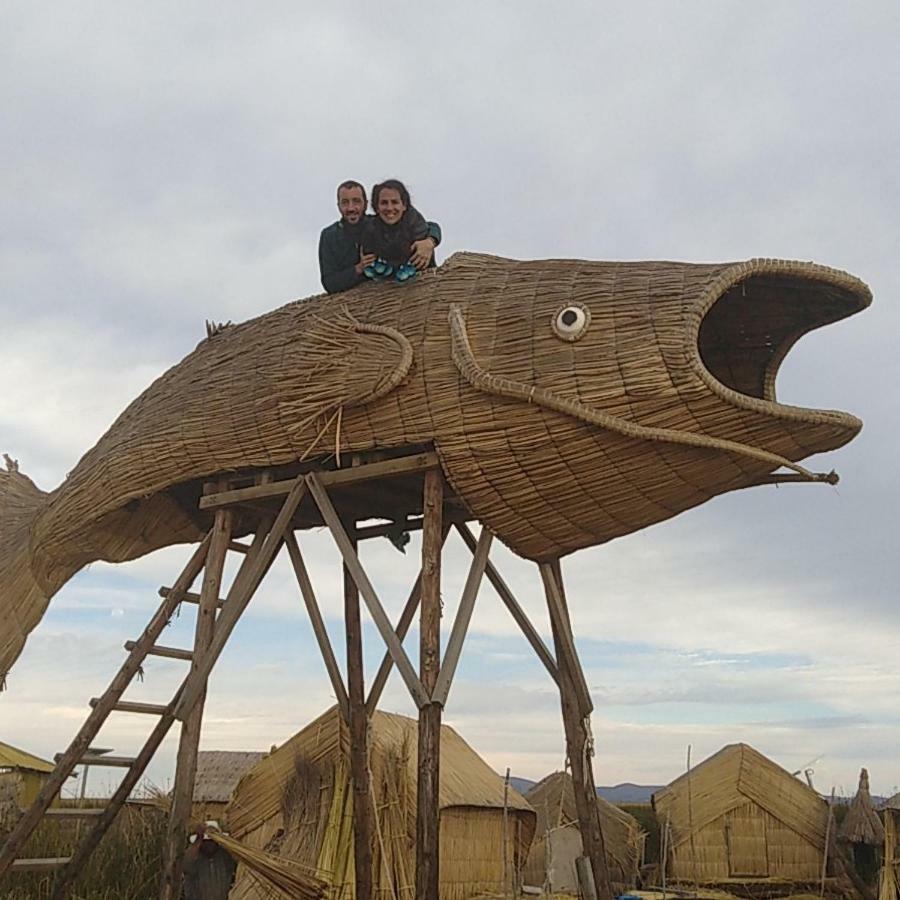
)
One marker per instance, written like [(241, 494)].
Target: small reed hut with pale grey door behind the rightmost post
[(557, 843)]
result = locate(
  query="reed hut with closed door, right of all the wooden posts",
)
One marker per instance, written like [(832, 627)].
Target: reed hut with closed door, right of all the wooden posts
[(738, 818)]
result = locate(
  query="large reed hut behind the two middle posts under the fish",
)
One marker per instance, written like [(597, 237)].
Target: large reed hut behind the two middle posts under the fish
[(297, 804)]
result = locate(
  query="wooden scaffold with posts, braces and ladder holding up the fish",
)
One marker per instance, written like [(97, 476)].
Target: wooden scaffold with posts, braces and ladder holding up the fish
[(408, 492)]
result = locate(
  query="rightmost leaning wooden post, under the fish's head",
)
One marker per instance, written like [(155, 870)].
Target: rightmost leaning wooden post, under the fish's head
[(576, 722)]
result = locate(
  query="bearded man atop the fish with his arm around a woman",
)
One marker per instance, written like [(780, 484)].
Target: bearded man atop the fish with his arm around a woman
[(341, 261)]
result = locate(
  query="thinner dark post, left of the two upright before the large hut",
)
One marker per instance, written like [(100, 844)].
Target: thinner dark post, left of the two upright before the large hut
[(359, 735)]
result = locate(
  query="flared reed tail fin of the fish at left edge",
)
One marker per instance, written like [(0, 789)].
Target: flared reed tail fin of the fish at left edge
[(22, 601)]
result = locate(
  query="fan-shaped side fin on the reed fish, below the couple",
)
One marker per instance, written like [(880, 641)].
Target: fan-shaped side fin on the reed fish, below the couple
[(343, 363)]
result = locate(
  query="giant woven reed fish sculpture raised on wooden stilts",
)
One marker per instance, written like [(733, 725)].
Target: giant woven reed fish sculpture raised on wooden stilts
[(570, 403)]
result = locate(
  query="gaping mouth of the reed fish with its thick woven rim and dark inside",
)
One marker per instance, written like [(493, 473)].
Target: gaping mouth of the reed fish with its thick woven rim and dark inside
[(752, 315)]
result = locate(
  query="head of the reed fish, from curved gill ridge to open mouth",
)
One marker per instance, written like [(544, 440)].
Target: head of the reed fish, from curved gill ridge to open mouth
[(625, 393)]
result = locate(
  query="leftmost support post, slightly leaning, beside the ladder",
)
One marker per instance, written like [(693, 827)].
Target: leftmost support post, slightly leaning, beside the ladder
[(186, 762)]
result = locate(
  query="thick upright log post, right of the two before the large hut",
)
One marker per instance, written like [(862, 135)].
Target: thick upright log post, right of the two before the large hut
[(427, 814)]
